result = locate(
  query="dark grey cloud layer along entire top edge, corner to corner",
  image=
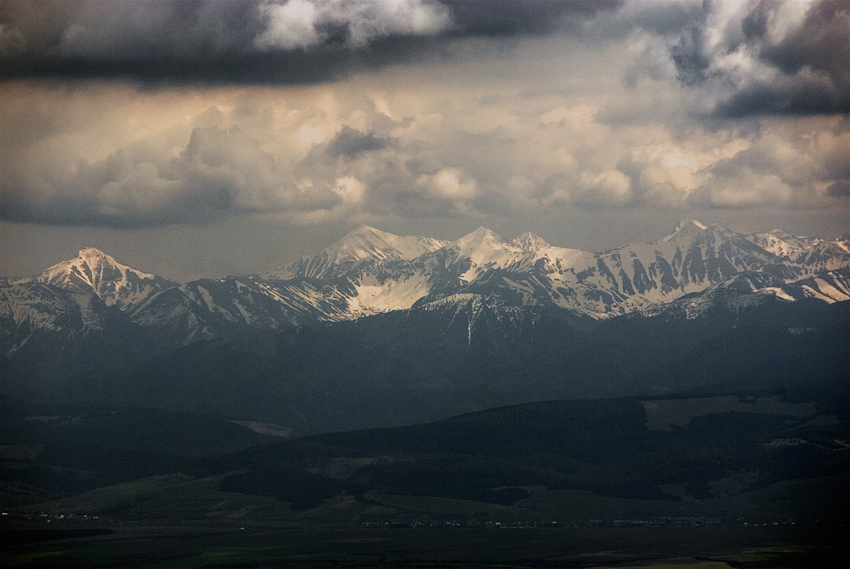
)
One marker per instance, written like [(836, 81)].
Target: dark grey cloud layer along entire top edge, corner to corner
[(766, 60)]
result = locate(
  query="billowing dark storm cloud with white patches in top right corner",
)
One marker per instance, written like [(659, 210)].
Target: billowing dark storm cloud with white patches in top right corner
[(773, 58)]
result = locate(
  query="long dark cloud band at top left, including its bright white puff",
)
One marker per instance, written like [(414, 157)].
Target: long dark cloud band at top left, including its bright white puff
[(251, 41)]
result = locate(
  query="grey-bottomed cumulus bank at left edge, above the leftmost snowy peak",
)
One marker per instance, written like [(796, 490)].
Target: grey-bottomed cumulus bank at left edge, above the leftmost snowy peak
[(218, 173)]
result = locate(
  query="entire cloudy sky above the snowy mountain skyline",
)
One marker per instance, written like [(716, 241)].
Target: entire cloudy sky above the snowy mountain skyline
[(210, 138)]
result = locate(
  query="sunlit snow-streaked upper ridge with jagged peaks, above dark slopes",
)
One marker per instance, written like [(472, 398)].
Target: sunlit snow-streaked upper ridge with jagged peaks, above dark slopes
[(370, 272)]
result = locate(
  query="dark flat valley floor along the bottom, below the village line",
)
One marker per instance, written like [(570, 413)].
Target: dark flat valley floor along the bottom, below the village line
[(196, 546)]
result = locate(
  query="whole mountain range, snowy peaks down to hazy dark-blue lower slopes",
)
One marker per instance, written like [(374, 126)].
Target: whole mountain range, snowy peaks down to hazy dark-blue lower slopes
[(381, 329)]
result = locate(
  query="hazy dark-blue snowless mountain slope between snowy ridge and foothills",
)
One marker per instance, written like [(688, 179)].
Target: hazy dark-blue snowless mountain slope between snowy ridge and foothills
[(465, 353)]
